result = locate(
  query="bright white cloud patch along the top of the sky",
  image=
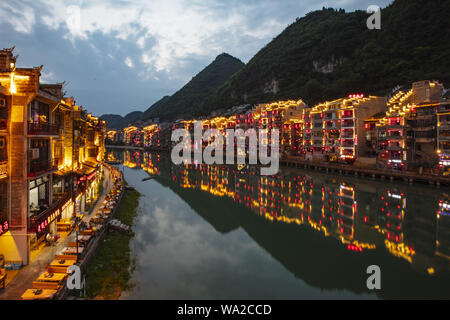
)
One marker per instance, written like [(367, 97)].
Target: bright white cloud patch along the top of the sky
[(177, 29)]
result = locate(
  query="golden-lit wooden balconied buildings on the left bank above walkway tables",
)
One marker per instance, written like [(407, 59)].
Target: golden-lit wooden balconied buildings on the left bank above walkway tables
[(51, 152)]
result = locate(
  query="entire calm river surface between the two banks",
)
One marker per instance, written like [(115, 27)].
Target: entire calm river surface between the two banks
[(220, 233)]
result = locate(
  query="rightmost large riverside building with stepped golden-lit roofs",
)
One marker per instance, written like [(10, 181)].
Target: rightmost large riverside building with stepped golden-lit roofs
[(407, 136)]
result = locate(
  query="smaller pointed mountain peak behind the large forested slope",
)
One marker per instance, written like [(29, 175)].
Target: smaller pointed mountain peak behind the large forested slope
[(186, 101)]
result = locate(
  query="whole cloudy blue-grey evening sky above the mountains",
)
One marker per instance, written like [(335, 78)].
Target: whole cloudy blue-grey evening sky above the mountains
[(123, 55)]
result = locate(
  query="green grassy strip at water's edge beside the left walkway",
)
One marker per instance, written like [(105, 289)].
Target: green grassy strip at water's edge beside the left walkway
[(110, 273)]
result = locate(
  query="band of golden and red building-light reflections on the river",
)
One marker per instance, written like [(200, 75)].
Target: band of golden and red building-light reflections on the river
[(325, 205)]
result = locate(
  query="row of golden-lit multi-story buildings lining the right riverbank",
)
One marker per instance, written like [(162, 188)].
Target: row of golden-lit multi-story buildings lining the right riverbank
[(408, 130)]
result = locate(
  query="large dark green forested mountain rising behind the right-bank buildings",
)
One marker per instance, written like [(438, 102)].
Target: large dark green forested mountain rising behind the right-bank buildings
[(331, 53)]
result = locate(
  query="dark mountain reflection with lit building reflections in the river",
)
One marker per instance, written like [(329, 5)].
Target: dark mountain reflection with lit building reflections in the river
[(324, 229)]
